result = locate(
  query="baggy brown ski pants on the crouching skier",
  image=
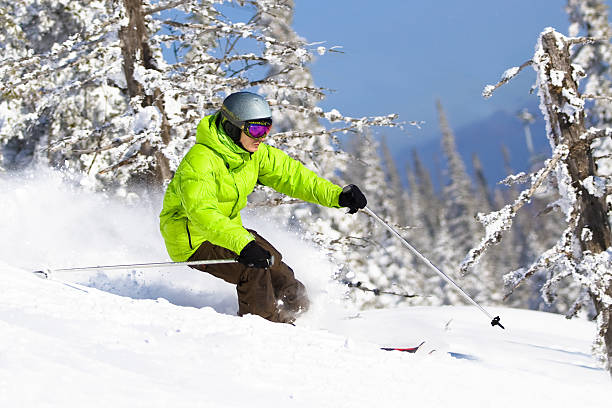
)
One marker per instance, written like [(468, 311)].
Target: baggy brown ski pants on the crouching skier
[(272, 293)]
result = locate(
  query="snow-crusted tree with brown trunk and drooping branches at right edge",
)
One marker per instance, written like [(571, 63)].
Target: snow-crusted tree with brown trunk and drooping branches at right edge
[(582, 253)]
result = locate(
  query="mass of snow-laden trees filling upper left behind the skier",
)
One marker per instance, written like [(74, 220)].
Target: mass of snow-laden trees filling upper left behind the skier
[(105, 100)]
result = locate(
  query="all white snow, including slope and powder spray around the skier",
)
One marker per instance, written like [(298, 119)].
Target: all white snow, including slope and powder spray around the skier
[(170, 337)]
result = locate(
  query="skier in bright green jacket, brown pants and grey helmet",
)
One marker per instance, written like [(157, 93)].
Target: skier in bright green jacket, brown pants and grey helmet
[(200, 218)]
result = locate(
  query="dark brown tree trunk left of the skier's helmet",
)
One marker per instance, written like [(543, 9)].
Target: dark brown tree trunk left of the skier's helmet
[(136, 50)]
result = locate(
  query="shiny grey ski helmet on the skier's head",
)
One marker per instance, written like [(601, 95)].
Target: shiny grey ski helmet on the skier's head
[(240, 107)]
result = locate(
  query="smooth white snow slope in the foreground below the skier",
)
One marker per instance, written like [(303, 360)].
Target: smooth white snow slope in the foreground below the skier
[(68, 345)]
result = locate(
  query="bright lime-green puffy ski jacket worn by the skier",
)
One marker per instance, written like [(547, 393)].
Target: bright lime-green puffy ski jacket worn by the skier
[(211, 185)]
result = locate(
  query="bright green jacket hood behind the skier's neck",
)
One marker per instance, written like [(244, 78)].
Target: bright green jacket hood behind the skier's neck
[(209, 135)]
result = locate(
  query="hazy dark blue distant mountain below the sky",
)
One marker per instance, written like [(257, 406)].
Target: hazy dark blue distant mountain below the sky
[(485, 138)]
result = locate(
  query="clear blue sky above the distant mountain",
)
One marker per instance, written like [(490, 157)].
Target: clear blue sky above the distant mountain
[(401, 56)]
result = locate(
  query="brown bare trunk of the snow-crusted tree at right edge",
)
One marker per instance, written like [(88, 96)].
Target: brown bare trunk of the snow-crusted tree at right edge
[(567, 129)]
